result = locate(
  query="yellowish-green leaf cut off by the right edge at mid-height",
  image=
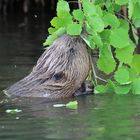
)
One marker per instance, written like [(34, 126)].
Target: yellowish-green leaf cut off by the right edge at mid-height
[(136, 63)]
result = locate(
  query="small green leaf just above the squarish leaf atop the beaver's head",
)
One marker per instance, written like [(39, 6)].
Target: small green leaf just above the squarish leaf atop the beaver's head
[(78, 15)]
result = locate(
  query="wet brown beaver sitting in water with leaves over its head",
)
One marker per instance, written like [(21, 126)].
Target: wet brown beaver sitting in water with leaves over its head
[(59, 72)]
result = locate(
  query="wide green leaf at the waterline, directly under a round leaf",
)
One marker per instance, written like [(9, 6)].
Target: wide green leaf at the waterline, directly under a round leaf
[(122, 89)]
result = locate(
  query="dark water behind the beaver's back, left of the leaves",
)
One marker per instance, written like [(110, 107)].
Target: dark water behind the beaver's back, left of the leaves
[(21, 41)]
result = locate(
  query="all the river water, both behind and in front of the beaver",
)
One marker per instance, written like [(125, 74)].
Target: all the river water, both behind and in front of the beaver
[(104, 117)]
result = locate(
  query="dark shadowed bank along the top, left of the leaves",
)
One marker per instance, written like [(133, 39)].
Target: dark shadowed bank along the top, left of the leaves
[(27, 6)]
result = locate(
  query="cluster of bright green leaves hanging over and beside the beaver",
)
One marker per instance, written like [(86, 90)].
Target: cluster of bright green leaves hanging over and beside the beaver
[(107, 26)]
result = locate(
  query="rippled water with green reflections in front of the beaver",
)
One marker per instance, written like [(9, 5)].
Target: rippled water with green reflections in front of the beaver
[(97, 118)]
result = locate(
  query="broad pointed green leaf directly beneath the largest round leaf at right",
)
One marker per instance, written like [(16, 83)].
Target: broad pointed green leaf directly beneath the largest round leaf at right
[(121, 53)]
